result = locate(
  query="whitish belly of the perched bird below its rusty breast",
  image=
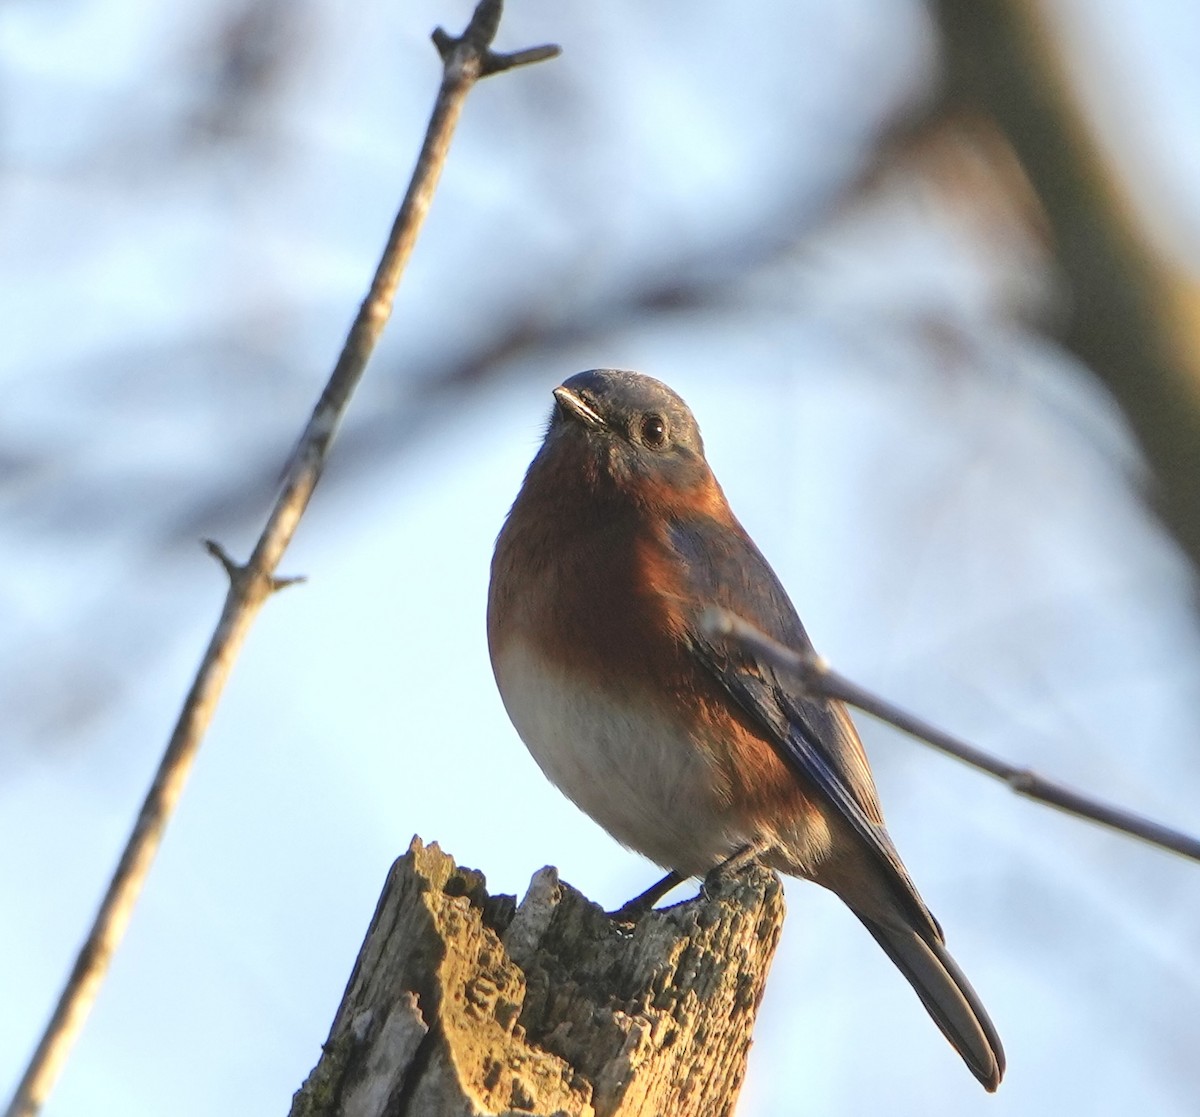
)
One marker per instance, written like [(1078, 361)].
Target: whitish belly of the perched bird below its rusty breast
[(633, 771)]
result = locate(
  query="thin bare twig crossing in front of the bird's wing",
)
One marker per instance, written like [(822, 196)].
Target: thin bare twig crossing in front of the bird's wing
[(819, 678)]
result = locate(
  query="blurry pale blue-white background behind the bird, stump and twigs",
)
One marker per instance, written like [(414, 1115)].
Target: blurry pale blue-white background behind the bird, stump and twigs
[(195, 196)]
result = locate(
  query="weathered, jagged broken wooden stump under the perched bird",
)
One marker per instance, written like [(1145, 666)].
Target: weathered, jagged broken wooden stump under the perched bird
[(463, 1004)]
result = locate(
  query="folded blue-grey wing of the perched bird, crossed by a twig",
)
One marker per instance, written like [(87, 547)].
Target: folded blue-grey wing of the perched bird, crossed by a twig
[(814, 736)]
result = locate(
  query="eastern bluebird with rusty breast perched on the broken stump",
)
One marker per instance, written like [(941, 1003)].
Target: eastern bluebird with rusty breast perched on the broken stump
[(691, 752)]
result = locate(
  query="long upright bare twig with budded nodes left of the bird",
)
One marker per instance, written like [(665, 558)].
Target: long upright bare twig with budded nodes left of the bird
[(465, 62)]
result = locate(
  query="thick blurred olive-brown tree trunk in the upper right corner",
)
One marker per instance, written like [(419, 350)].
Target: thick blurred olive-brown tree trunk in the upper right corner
[(1132, 315)]
